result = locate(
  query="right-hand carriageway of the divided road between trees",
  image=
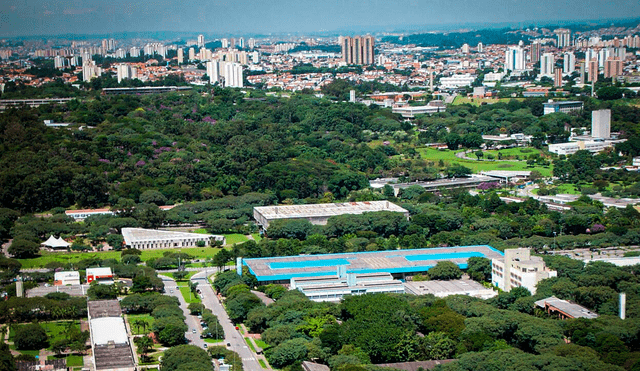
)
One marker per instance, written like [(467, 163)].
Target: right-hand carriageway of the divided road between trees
[(232, 336)]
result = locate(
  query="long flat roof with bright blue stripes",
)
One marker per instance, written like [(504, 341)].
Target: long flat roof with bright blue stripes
[(389, 261)]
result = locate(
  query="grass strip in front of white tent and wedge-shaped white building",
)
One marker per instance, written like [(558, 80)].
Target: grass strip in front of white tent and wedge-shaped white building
[(74, 257)]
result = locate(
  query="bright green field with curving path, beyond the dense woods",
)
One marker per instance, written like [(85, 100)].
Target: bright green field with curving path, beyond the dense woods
[(449, 158)]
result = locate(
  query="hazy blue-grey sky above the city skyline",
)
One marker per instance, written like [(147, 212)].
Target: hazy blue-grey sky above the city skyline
[(50, 17)]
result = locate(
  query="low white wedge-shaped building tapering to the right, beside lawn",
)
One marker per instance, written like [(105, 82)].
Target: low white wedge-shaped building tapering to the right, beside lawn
[(140, 238)]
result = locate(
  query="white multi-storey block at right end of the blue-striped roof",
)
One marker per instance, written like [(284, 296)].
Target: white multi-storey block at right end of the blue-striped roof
[(519, 269)]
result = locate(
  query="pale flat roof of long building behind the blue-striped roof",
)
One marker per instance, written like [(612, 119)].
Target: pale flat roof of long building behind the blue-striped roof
[(326, 210)]
